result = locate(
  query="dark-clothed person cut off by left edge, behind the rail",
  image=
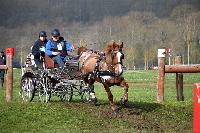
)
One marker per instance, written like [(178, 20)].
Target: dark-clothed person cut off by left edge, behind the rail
[(2, 71)]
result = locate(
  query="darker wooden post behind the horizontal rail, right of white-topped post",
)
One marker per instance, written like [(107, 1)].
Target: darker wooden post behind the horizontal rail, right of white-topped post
[(179, 80)]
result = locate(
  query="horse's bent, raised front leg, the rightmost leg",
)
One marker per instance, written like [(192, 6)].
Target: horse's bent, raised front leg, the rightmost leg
[(124, 98)]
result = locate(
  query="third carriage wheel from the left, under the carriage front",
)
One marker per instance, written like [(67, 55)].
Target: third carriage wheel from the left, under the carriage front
[(67, 96)]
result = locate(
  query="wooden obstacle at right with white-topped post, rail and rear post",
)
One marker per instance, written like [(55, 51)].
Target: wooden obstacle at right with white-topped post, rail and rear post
[(178, 69)]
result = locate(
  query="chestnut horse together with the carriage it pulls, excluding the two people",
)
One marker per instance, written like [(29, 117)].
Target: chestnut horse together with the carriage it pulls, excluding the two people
[(77, 77)]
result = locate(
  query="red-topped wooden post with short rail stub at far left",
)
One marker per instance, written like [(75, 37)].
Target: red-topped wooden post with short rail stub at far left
[(9, 76)]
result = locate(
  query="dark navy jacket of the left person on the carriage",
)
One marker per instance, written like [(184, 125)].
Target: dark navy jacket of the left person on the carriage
[(36, 48)]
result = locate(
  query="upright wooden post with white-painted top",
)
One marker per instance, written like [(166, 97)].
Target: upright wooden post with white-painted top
[(161, 75)]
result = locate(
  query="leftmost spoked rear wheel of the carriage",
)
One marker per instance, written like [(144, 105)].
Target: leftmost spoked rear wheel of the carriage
[(27, 89)]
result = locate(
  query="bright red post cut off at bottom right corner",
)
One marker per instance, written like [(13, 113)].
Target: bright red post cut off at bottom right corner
[(196, 115)]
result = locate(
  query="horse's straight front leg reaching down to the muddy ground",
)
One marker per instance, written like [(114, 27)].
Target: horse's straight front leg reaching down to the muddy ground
[(110, 98)]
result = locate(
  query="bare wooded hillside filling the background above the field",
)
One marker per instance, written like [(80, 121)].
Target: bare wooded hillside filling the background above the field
[(143, 27)]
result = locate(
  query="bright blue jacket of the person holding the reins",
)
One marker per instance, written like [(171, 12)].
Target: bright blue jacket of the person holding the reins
[(53, 46)]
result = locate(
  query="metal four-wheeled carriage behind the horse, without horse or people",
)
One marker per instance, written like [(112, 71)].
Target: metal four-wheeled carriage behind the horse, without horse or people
[(48, 80)]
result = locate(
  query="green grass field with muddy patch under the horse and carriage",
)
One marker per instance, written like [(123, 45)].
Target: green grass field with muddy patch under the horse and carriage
[(143, 113)]
